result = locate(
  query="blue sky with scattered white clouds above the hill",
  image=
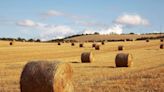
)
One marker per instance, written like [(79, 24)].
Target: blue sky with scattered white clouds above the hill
[(51, 19)]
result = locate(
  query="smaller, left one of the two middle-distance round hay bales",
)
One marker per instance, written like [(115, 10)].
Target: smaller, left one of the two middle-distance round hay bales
[(87, 57)]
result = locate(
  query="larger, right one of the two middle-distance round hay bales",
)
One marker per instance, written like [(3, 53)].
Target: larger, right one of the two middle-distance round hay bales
[(123, 60)]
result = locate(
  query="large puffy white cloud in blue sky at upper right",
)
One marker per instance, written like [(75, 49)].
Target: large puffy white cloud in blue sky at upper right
[(132, 20)]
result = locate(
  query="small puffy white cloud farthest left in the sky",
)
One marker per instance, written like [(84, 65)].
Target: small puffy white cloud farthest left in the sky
[(26, 23)]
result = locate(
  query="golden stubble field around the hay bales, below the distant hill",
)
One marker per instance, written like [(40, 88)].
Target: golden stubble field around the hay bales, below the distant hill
[(146, 74)]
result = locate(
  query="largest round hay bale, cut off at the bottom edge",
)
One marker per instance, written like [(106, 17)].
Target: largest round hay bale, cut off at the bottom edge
[(43, 76)]
